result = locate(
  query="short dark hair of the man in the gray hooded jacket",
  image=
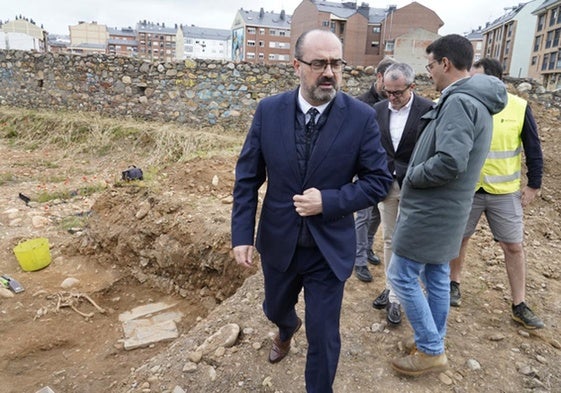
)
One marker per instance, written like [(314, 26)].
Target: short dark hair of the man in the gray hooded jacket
[(455, 48)]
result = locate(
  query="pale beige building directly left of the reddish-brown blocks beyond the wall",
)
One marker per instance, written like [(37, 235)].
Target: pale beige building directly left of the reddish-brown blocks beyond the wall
[(88, 38)]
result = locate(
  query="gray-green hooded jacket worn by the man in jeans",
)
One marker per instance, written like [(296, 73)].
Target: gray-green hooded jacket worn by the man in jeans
[(438, 188)]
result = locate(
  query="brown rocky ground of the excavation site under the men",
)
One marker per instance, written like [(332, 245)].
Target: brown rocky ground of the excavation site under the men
[(166, 239)]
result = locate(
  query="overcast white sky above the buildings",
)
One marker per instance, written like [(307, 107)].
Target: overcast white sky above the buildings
[(57, 15)]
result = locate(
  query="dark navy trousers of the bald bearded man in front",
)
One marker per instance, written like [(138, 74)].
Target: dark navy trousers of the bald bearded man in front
[(323, 295)]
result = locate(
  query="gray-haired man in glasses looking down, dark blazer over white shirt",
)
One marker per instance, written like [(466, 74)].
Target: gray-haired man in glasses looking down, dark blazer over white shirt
[(399, 119)]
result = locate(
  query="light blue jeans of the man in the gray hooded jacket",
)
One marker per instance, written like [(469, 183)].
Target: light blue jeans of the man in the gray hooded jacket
[(426, 314)]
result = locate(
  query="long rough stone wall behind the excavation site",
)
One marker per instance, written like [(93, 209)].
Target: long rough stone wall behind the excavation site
[(194, 92)]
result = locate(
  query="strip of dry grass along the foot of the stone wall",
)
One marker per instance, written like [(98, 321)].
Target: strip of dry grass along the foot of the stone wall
[(80, 132)]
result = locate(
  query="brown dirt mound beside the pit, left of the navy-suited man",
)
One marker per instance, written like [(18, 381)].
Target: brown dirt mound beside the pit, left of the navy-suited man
[(172, 234)]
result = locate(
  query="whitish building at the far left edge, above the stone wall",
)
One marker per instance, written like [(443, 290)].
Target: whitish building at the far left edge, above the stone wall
[(22, 34)]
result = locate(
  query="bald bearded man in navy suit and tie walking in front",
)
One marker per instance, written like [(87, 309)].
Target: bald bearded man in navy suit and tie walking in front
[(308, 144)]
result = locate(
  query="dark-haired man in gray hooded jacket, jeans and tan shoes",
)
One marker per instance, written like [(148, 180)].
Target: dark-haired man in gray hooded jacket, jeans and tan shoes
[(436, 196)]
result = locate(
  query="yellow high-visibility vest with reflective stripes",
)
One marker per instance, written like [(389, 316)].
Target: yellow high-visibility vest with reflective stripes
[(501, 171)]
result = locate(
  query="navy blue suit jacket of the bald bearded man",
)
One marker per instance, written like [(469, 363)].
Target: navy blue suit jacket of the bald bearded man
[(348, 145)]
